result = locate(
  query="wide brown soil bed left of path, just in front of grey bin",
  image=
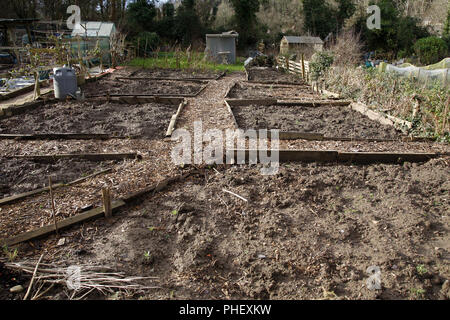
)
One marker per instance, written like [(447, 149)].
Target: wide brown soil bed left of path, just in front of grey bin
[(149, 120)]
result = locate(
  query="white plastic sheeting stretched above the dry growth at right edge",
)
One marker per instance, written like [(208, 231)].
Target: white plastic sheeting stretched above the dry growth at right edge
[(430, 74)]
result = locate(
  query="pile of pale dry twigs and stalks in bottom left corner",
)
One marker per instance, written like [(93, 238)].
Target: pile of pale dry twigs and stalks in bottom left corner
[(80, 280)]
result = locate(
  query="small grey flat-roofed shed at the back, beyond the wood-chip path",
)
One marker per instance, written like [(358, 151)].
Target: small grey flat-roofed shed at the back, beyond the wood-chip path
[(222, 47)]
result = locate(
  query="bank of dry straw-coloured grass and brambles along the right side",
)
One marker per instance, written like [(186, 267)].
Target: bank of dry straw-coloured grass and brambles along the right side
[(396, 96)]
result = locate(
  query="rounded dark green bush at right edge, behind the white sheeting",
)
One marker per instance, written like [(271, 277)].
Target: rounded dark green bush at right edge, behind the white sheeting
[(430, 50)]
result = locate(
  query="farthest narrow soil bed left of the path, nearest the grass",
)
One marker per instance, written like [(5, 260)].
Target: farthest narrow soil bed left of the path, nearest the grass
[(177, 74)]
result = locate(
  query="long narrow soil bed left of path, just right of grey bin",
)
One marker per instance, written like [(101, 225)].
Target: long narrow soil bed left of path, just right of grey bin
[(149, 87)]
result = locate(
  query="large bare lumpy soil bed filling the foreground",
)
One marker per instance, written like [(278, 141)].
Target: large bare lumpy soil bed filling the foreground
[(309, 232)]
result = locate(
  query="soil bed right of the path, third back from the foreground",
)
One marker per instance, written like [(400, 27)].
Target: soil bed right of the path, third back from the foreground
[(249, 91)]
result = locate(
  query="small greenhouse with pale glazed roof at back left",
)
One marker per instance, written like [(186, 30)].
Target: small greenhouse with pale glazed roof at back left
[(90, 33)]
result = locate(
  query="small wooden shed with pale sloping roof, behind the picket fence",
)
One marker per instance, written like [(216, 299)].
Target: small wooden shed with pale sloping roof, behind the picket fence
[(301, 45)]
